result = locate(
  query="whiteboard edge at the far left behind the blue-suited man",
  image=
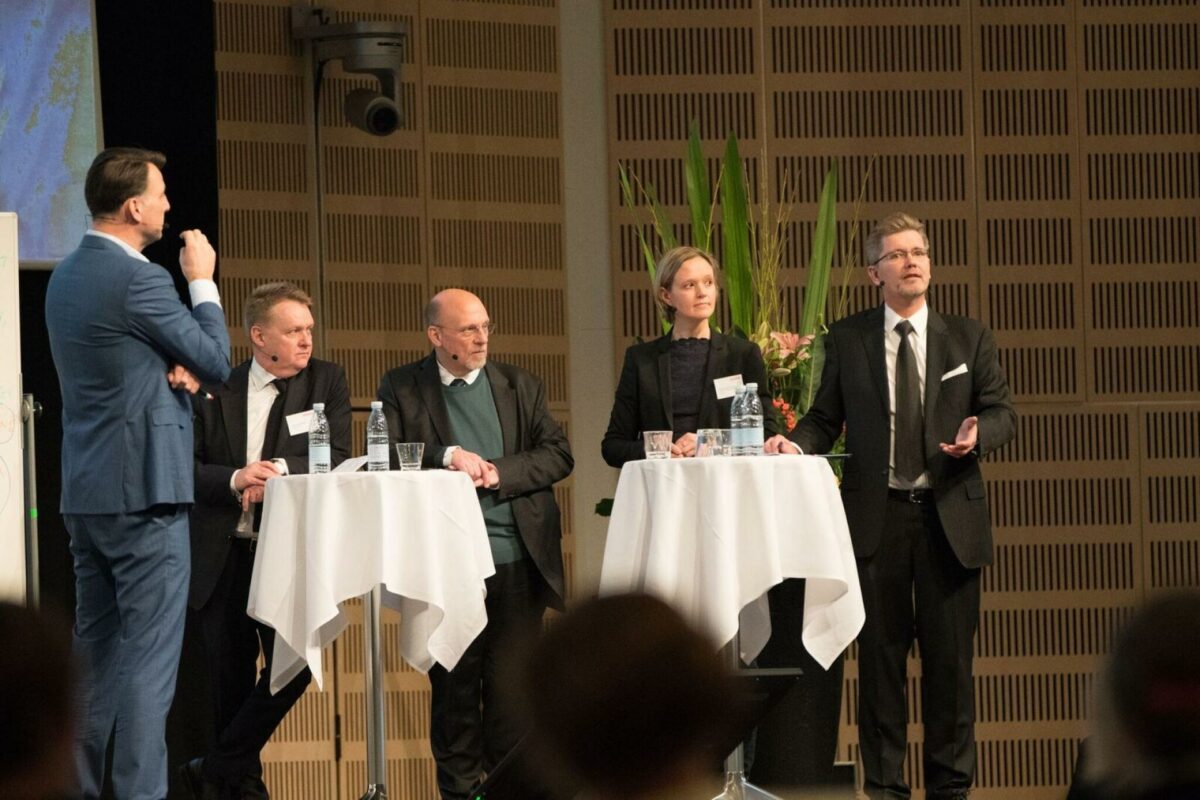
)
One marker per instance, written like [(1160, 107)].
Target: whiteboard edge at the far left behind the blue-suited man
[(13, 492)]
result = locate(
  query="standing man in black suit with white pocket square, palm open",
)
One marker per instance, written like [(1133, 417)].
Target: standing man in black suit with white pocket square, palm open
[(922, 396)]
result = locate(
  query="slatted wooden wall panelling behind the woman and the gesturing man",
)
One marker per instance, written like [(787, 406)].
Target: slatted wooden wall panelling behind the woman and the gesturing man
[(1051, 148)]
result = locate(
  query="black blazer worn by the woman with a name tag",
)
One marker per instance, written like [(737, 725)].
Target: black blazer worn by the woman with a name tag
[(644, 394)]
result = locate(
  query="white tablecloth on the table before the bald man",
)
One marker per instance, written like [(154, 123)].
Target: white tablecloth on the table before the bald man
[(326, 539)]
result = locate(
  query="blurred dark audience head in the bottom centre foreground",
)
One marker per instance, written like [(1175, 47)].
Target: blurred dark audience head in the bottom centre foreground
[(627, 701)]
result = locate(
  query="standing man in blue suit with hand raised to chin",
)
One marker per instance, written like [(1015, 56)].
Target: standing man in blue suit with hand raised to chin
[(127, 350)]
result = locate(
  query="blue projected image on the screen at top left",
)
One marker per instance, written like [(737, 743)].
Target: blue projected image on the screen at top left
[(49, 131)]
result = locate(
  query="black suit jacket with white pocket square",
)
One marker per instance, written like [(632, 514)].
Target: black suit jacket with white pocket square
[(855, 392)]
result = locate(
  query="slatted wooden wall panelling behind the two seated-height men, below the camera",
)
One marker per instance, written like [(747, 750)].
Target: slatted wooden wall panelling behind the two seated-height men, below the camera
[(466, 194)]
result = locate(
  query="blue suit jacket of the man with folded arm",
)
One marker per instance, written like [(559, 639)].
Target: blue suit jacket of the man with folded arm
[(116, 327)]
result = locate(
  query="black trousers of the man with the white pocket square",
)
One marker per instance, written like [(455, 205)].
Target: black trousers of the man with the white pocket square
[(915, 587)]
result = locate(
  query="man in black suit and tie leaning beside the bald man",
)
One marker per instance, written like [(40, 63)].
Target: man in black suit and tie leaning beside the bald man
[(251, 430)]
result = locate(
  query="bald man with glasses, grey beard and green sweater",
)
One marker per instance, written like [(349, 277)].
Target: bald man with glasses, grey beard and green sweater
[(490, 422)]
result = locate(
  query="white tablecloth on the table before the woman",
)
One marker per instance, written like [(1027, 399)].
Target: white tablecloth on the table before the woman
[(712, 536)]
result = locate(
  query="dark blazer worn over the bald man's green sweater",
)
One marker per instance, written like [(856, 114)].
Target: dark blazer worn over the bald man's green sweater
[(537, 454)]
